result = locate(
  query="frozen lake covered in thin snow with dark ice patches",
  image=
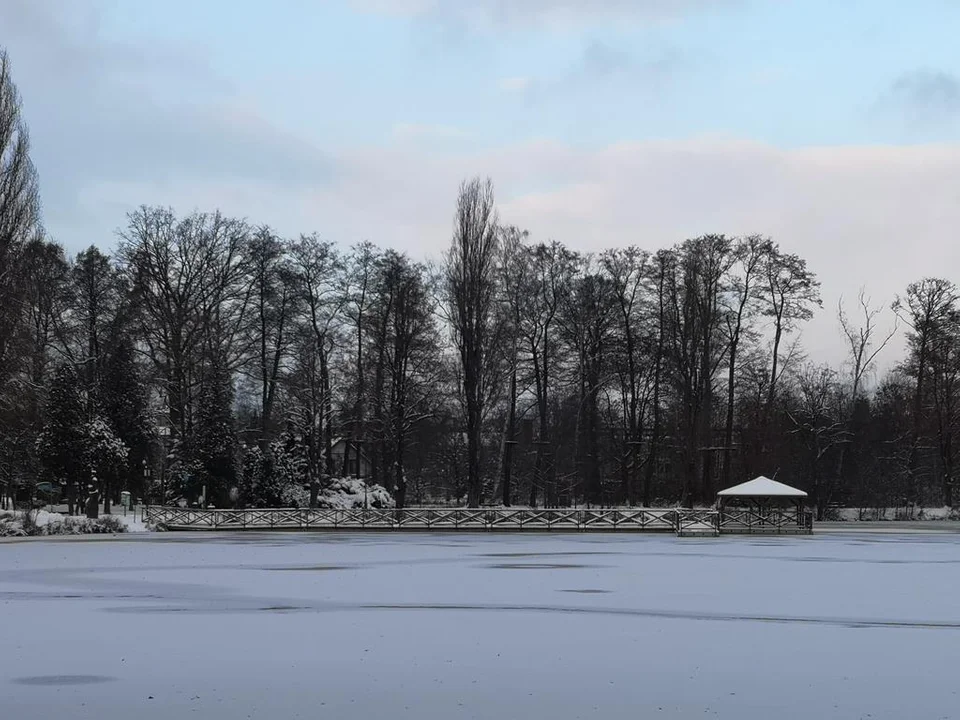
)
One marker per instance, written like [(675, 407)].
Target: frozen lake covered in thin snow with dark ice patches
[(341, 626)]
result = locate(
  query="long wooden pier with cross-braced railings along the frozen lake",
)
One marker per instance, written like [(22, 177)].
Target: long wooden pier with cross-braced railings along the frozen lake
[(683, 522)]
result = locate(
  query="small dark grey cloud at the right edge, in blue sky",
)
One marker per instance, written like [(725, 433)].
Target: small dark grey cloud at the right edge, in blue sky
[(924, 99)]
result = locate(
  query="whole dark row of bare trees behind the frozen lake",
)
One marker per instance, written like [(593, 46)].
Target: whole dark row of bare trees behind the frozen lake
[(208, 356)]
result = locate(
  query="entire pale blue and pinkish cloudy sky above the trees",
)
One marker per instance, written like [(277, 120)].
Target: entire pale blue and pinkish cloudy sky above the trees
[(833, 126)]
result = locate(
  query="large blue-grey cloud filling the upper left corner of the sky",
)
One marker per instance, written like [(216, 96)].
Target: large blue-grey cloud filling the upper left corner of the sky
[(101, 112)]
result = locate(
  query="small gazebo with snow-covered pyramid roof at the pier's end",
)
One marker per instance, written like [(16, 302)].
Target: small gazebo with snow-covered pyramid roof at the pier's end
[(764, 505)]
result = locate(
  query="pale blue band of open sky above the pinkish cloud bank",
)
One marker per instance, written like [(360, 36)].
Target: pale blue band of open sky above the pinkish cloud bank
[(788, 73)]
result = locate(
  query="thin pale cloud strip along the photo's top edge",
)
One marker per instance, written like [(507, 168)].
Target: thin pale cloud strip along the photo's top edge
[(501, 13)]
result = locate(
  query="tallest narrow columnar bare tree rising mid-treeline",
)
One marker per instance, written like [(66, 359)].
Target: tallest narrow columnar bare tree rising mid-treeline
[(471, 297)]
